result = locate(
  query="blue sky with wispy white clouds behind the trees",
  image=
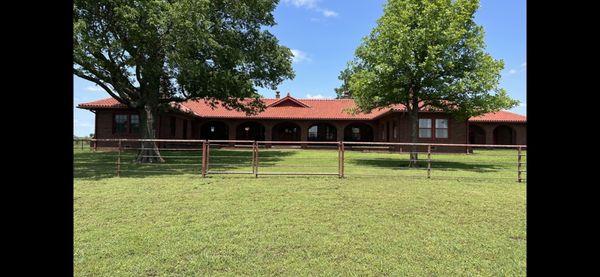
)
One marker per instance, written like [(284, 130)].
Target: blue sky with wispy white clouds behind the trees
[(323, 35)]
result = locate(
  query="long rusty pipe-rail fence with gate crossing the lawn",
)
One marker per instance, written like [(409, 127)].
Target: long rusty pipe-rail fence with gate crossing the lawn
[(209, 157)]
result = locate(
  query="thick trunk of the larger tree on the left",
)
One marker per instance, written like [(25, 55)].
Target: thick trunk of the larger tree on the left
[(149, 152)]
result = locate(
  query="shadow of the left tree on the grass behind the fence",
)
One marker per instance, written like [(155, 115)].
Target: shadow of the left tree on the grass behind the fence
[(103, 164)]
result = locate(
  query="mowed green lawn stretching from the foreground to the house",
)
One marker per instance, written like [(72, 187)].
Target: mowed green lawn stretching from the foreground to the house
[(469, 219)]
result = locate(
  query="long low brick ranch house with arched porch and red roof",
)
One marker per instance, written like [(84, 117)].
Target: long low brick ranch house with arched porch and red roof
[(292, 119)]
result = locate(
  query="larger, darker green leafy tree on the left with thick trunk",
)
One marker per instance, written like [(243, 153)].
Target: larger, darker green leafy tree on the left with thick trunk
[(153, 54)]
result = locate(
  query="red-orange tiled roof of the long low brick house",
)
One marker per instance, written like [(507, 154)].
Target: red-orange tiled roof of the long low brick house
[(316, 109)]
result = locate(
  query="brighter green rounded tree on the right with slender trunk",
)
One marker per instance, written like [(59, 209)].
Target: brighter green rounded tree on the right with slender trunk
[(427, 54)]
